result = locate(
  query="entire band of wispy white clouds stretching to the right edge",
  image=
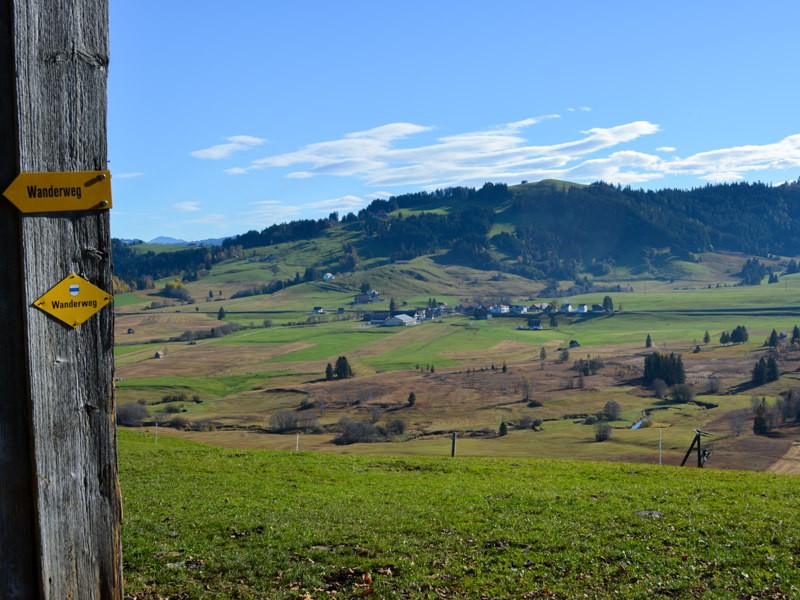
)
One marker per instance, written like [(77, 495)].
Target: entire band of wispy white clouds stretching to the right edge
[(507, 153)]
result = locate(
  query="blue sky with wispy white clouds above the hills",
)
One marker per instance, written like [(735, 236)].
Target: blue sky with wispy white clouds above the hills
[(227, 117)]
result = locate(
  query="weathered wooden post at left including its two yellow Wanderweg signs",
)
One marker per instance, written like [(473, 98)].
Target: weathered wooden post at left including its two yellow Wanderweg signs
[(60, 508)]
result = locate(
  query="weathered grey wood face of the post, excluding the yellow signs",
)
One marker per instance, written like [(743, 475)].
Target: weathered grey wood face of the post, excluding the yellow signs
[(61, 67)]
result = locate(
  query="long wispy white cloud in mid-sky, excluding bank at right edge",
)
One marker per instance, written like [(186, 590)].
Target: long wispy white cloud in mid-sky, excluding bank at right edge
[(373, 156)]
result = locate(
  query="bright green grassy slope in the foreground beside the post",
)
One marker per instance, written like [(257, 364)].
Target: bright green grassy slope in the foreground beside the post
[(208, 522)]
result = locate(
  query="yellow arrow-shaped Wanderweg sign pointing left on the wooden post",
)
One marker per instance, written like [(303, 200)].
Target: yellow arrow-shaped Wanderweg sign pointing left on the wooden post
[(59, 192)]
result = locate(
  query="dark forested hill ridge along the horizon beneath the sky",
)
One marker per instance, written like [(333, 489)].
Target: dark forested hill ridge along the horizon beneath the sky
[(538, 230)]
